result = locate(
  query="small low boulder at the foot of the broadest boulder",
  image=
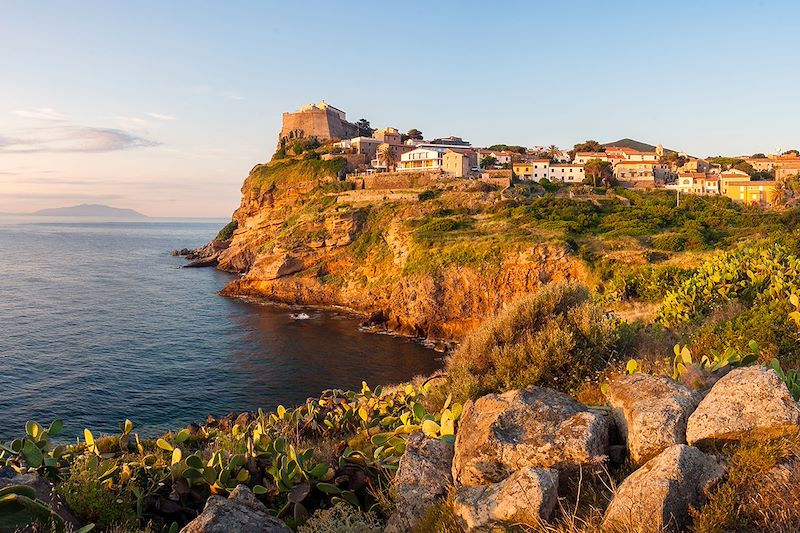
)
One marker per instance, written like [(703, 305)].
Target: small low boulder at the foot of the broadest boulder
[(524, 498)]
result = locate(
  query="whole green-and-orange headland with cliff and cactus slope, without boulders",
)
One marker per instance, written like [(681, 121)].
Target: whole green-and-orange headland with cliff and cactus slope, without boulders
[(539, 288)]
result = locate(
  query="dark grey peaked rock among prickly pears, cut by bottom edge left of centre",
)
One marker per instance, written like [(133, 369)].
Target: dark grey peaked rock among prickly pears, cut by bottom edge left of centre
[(240, 511)]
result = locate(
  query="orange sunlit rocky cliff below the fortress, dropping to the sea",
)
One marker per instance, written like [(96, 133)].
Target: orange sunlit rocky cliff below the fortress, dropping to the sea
[(434, 265)]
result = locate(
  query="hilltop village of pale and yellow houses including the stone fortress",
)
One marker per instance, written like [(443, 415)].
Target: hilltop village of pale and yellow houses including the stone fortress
[(387, 155)]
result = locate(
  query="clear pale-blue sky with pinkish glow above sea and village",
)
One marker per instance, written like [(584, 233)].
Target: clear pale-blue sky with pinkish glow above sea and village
[(164, 107)]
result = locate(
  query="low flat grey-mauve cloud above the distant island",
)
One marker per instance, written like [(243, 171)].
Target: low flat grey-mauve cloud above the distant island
[(80, 139)]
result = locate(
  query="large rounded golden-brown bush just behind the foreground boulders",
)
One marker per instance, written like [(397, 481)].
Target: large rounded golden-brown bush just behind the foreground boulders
[(554, 338)]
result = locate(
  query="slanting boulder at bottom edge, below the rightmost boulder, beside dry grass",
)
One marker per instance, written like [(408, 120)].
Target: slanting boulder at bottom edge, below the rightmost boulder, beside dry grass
[(657, 497)]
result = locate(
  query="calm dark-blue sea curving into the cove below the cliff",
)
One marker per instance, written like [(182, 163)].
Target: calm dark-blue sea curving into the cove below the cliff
[(98, 323)]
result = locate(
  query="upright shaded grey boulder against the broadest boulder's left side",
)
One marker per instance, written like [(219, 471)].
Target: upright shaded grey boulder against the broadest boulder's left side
[(423, 477)]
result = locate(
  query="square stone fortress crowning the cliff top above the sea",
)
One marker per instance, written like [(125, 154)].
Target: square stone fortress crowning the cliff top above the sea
[(319, 121)]
